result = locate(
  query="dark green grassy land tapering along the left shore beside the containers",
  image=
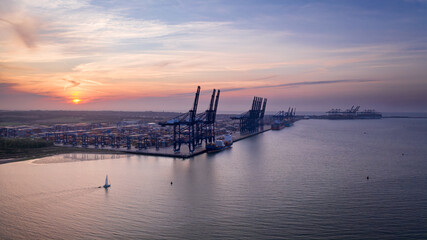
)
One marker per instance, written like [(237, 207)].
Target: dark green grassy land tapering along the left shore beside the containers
[(20, 149)]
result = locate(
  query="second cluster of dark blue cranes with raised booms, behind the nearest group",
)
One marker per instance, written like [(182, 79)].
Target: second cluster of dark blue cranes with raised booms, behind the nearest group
[(252, 120)]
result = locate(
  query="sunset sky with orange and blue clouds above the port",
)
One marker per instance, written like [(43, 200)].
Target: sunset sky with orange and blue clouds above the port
[(151, 55)]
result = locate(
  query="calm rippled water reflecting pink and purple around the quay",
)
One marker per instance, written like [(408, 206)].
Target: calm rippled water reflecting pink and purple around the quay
[(304, 182)]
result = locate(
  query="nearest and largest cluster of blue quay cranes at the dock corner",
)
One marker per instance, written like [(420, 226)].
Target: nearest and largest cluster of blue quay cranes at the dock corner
[(191, 128)]
